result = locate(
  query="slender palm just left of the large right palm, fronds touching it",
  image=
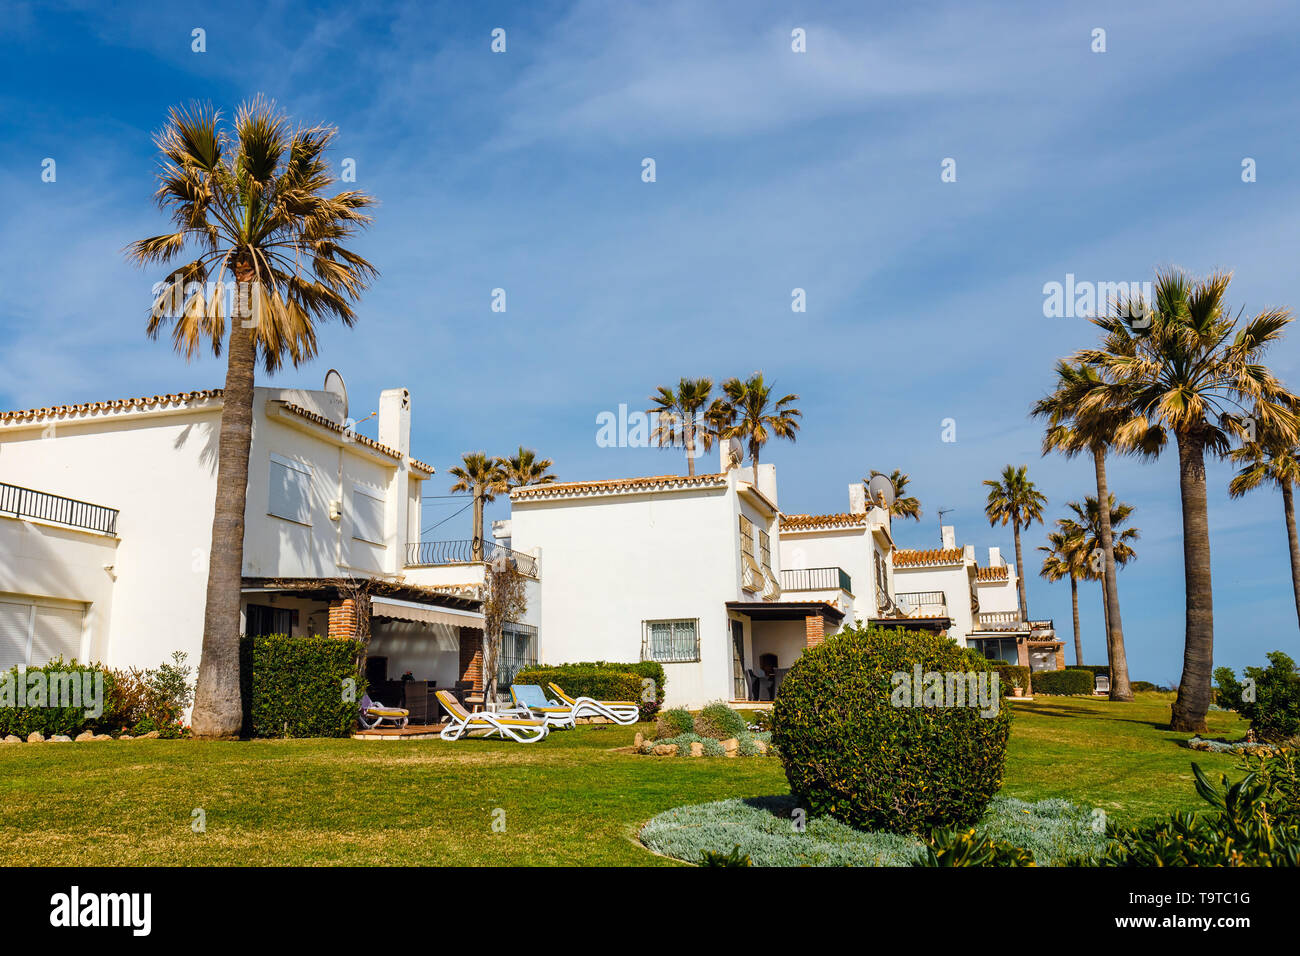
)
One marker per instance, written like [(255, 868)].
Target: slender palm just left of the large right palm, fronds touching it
[(1072, 431)]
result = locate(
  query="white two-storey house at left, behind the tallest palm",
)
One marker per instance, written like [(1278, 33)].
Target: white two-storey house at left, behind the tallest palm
[(106, 522)]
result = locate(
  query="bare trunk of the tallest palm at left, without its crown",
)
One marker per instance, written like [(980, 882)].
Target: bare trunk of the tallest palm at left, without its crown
[(218, 707)]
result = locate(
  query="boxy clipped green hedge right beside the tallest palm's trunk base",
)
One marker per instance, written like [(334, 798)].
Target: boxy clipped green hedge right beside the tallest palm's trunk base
[(298, 687)]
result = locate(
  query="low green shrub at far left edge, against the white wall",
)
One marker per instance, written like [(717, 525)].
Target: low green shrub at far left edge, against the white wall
[(37, 716)]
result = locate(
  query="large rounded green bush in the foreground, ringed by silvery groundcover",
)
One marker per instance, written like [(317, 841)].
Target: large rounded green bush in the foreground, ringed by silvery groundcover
[(852, 754)]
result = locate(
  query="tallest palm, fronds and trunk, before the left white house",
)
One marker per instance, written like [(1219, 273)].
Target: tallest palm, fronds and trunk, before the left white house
[(250, 205)]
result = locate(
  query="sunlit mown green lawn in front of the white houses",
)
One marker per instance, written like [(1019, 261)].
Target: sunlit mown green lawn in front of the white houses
[(573, 799)]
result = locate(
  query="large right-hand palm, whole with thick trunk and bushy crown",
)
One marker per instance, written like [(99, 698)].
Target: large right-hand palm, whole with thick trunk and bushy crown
[(1186, 366)]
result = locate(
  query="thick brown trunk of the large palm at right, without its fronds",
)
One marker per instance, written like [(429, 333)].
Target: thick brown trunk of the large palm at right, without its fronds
[(1195, 691)]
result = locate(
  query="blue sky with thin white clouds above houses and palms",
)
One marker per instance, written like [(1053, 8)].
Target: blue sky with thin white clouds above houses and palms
[(775, 171)]
